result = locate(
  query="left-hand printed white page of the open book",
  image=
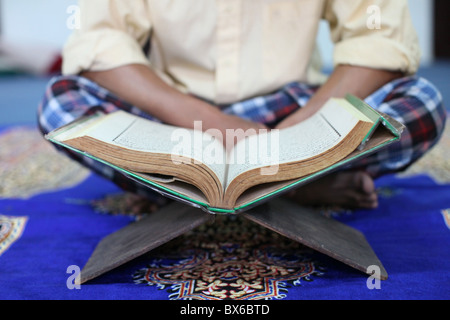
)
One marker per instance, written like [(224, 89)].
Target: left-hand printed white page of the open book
[(132, 132)]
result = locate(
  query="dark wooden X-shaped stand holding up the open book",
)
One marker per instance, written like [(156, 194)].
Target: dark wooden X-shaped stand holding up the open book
[(304, 225)]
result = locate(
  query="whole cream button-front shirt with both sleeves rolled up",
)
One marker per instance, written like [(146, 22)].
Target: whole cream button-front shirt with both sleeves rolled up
[(230, 50)]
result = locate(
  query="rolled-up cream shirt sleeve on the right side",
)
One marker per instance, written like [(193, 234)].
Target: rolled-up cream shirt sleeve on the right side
[(373, 33)]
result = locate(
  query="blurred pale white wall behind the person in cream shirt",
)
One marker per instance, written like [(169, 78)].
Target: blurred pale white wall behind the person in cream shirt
[(44, 21)]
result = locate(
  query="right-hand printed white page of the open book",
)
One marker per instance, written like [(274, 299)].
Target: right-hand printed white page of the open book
[(309, 138)]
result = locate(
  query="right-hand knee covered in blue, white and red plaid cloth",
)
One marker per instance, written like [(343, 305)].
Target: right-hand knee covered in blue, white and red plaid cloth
[(418, 104)]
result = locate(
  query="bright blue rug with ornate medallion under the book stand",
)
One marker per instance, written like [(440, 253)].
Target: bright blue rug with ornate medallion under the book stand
[(58, 229)]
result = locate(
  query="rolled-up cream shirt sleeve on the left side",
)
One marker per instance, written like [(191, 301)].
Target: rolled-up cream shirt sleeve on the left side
[(112, 34)]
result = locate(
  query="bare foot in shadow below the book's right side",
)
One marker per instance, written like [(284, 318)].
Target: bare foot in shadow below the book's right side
[(348, 190)]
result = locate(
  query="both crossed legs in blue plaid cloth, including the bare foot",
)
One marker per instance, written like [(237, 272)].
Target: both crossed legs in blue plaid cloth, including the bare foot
[(413, 101)]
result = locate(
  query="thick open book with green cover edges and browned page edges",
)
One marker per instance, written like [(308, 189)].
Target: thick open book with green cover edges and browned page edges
[(194, 166)]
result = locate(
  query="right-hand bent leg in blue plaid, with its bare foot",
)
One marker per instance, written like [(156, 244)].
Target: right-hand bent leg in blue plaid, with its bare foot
[(417, 104)]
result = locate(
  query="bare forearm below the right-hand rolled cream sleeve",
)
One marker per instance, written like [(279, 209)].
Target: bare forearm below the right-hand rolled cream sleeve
[(345, 79)]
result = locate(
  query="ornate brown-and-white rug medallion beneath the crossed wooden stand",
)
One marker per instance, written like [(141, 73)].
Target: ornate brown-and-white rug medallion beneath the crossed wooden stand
[(229, 259)]
